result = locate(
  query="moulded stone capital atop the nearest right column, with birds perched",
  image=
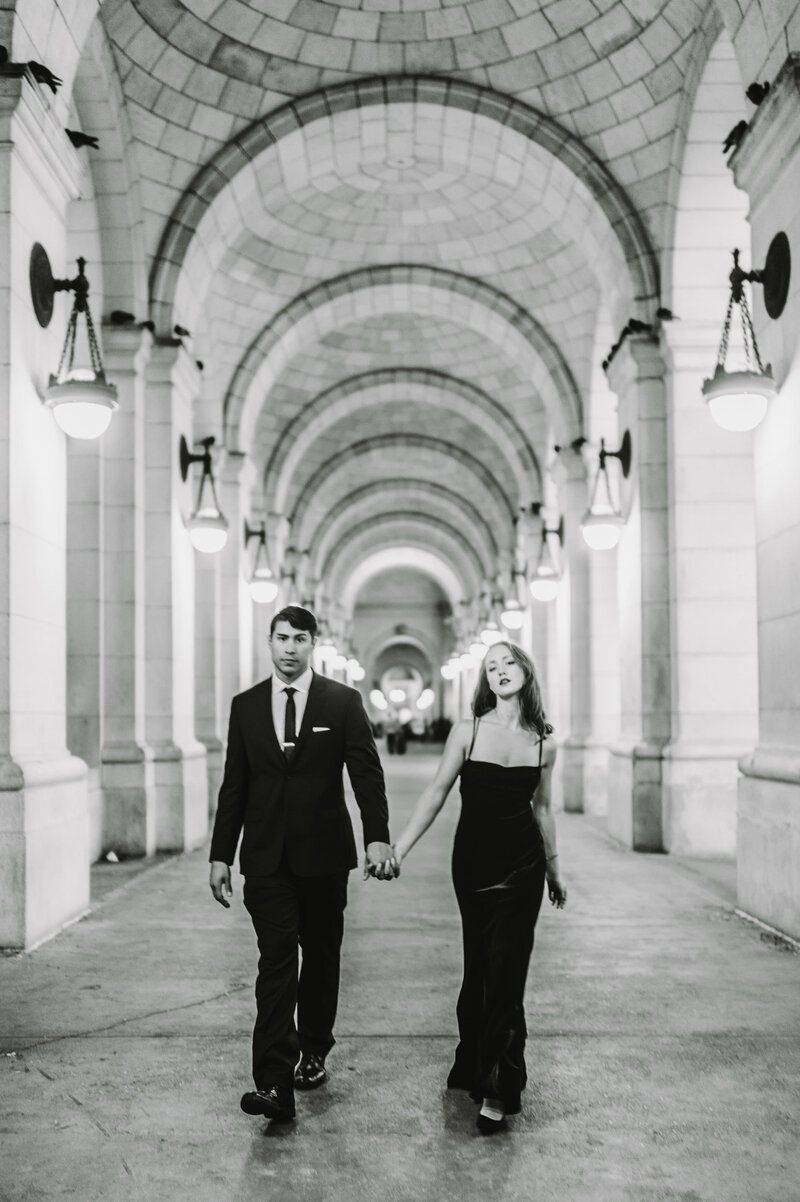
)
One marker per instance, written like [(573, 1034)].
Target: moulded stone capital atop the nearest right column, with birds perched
[(771, 142)]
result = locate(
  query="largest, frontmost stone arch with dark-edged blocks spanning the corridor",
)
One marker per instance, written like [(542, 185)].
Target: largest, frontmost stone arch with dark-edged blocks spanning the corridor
[(566, 150)]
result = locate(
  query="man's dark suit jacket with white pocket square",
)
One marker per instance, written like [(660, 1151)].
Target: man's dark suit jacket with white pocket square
[(298, 806)]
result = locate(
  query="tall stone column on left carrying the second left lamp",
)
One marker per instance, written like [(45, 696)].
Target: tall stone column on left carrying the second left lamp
[(180, 759)]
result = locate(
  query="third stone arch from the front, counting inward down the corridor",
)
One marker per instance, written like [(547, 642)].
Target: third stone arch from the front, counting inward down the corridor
[(398, 385)]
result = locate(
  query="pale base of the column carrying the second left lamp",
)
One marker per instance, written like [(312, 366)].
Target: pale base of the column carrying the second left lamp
[(181, 786)]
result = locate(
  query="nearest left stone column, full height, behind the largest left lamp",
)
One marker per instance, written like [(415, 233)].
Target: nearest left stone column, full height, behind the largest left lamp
[(44, 808)]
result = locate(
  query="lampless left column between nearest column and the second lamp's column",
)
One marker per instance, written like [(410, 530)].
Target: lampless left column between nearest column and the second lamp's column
[(127, 764)]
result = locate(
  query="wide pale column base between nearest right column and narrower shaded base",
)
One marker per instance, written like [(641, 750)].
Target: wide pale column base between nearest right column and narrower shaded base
[(700, 800)]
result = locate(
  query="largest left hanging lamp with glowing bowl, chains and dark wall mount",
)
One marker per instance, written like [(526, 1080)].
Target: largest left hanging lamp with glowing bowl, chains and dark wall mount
[(82, 400)]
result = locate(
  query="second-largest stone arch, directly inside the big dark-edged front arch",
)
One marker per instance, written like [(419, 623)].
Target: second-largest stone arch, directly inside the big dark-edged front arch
[(425, 290)]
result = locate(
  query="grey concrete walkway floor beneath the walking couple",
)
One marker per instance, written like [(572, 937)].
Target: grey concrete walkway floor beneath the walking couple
[(664, 1056)]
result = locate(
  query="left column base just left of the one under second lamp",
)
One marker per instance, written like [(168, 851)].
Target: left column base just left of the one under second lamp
[(128, 778)]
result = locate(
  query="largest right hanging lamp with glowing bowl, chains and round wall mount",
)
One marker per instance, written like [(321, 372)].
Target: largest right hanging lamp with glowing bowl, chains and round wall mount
[(738, 401)]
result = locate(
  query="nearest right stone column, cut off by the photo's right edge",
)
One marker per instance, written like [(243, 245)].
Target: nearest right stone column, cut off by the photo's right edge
[(767, 165)]
